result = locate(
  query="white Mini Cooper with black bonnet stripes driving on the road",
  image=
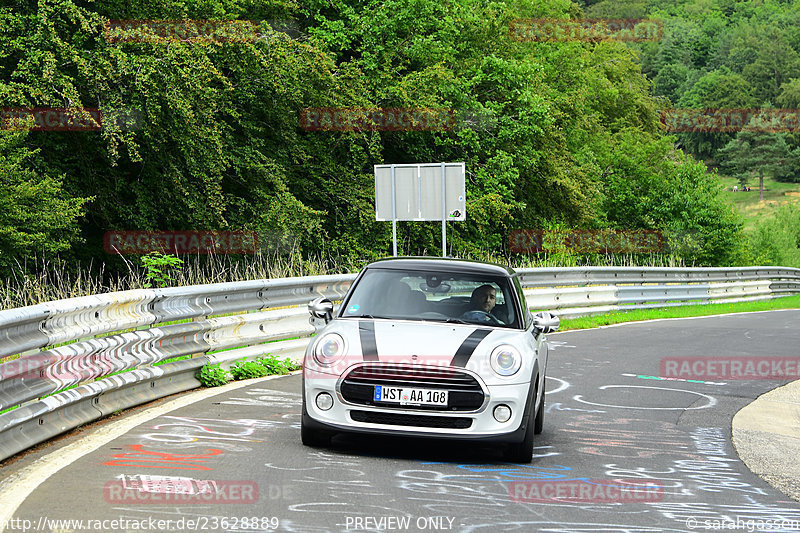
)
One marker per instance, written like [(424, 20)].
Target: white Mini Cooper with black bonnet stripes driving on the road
[(429, 348)]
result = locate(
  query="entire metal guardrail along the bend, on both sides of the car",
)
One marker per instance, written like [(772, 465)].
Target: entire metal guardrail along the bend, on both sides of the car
[(82, 344)]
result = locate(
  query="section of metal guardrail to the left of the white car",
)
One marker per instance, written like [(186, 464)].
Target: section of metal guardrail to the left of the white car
[(72, 343)]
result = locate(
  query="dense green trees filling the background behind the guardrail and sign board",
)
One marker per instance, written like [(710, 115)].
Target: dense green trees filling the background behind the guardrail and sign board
[(565, 133)]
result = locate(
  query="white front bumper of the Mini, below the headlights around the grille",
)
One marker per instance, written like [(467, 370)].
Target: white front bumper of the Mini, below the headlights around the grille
[(479, 424)]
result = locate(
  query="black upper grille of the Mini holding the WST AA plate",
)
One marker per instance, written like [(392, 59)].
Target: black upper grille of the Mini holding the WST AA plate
[(464, 391)]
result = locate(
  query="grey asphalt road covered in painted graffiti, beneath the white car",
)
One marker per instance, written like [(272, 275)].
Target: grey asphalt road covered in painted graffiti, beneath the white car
[(608, 424)]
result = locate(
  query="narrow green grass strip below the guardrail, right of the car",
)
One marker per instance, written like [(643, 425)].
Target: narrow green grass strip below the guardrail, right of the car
[(618, 317)]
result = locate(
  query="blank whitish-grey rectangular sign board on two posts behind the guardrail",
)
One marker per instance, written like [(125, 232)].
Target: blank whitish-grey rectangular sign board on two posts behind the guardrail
[(424, 191)]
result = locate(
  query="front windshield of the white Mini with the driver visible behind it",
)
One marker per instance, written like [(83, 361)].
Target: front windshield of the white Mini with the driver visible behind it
[(433, 296)]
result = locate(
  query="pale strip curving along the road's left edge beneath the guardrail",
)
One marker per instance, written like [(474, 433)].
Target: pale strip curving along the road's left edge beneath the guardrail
[(16, 488)]
